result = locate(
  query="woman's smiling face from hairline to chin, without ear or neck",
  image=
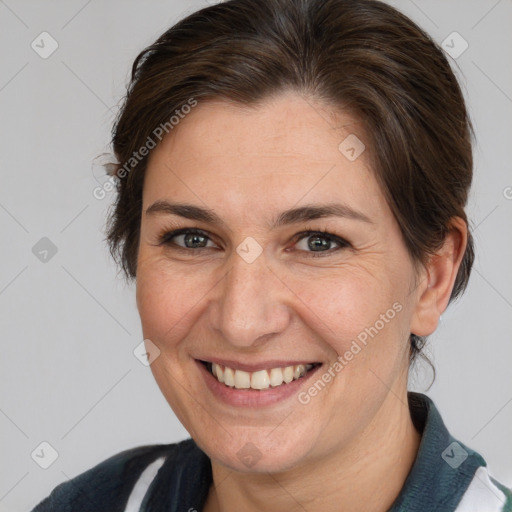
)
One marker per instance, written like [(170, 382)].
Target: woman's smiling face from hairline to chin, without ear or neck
[(252, 290)]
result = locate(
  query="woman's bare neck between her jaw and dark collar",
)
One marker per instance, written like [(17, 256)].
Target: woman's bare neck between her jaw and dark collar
[(367, 476)]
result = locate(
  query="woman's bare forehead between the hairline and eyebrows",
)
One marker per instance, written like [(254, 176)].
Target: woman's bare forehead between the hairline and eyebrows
[(283, 151)]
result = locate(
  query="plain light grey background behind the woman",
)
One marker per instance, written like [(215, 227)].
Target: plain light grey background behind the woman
[(69, 325)]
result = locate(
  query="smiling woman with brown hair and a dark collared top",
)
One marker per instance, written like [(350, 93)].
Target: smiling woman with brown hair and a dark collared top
[(291, 185)]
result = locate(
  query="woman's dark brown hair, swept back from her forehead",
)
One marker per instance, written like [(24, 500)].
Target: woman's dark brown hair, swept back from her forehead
[(359, 55)]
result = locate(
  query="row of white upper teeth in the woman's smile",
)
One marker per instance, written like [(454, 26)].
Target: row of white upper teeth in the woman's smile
[(261, 379)]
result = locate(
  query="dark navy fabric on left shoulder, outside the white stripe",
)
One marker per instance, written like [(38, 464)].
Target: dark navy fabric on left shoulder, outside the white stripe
[(108, 485)]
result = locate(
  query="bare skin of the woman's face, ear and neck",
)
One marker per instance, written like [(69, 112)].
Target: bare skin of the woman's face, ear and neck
[(351, 447)]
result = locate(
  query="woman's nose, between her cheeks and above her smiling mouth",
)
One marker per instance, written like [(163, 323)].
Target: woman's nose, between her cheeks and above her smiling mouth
[(251, 304)]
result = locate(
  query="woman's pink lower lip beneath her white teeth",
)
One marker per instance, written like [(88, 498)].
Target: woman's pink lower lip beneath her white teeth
[(253, 397)]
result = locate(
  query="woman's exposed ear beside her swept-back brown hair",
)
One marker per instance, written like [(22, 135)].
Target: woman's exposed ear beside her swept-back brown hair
[(436, 285)]
